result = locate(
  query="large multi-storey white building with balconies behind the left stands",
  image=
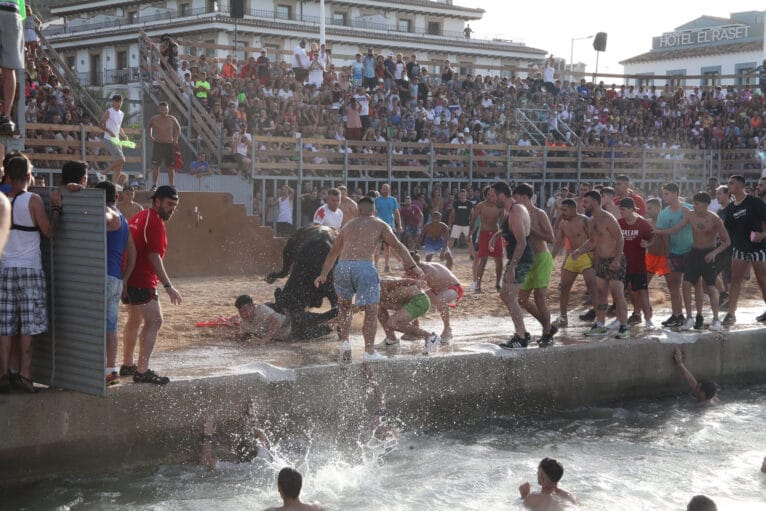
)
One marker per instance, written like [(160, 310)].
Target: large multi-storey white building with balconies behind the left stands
[(98, 38)]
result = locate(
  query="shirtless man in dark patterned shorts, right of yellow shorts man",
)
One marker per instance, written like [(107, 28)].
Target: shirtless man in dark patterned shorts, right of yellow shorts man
[(607, 242)]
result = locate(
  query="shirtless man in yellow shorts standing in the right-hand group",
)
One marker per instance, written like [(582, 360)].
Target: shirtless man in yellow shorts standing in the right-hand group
[(572, 227)]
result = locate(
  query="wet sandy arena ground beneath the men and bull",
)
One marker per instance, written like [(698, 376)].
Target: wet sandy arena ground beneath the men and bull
[(185, 351)]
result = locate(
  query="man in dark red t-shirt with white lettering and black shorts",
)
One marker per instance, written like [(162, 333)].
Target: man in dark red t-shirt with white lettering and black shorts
[(636, 232)]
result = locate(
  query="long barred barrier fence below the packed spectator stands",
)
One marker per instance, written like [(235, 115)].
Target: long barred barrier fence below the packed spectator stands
[(364, 165)]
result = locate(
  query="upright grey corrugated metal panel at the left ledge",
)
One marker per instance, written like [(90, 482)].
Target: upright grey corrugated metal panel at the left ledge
[(71, 354)]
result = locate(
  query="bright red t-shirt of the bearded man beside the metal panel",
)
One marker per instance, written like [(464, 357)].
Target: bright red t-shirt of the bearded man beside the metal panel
[(150, 237)]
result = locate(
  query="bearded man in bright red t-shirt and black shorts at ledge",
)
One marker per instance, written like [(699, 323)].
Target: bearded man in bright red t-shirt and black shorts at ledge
[(148, 231)]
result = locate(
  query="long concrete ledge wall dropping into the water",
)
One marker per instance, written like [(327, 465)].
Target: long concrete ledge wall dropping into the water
[(55, 431)]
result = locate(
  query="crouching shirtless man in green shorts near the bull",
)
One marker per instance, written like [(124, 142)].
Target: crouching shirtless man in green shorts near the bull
[(409, 302)]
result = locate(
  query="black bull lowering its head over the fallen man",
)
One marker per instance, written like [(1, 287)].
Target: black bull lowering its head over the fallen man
[(302, 258)]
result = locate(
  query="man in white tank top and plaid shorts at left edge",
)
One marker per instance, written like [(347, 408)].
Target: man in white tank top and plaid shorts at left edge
[(23, 309)]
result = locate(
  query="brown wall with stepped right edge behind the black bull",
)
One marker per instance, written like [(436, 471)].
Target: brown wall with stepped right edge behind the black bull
[(224, 242)]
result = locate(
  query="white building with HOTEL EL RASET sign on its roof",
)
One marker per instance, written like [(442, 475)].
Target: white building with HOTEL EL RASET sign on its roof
[(706, 51)]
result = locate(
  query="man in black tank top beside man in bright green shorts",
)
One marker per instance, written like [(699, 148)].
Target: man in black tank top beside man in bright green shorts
[(516, 228)]
